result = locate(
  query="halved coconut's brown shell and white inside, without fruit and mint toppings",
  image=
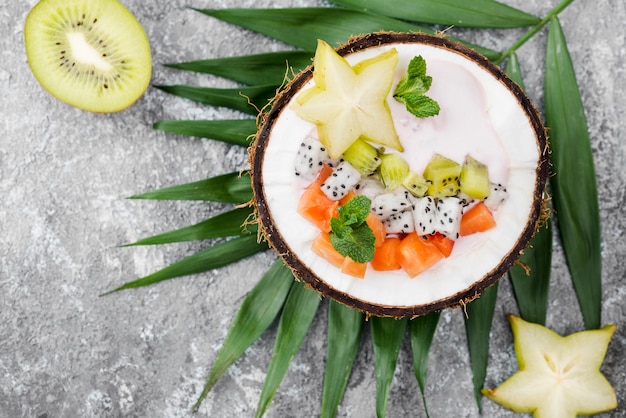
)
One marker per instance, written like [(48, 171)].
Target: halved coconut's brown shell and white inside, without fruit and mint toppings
[(483, 114)]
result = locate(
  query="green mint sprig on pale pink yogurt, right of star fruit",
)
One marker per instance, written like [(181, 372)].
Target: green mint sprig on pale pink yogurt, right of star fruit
[(411, 88)]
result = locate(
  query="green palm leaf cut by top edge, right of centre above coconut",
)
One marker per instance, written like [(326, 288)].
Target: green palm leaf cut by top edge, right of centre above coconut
[(475, 13)]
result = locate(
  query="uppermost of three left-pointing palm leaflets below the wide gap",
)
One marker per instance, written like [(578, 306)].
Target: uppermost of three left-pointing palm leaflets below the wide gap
[(226, 188)]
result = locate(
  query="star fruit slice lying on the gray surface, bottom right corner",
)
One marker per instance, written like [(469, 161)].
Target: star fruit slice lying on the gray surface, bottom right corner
[(558, 377)]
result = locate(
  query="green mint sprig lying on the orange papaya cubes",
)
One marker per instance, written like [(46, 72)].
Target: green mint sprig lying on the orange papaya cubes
[(350, 235)]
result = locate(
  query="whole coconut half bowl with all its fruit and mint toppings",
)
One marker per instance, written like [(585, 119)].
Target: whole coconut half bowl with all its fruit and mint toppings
[(399, 174)]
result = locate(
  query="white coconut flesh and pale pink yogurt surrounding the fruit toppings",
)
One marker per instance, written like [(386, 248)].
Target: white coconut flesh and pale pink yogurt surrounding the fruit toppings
[(480, 116)]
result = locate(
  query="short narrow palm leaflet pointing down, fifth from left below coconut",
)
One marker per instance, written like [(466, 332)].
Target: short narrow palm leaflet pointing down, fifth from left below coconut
[(422, 330)]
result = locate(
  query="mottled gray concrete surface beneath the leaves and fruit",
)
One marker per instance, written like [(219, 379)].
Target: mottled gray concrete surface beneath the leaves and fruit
[(64, 178)]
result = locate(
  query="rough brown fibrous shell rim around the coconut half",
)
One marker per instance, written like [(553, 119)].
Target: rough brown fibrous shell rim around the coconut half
[(272, 235)]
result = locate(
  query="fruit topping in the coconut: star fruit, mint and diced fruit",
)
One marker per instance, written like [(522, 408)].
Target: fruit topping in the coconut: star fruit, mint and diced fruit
[(347, 156)]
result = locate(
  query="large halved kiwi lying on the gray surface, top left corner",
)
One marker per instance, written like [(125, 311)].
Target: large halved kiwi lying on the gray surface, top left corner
[(91, 54)]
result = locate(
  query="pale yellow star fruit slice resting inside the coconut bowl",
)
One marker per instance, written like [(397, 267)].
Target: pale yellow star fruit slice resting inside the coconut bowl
[(350, 102)]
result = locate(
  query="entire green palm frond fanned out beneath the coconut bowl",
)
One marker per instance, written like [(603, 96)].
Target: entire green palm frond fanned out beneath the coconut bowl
[(263, 73)]
